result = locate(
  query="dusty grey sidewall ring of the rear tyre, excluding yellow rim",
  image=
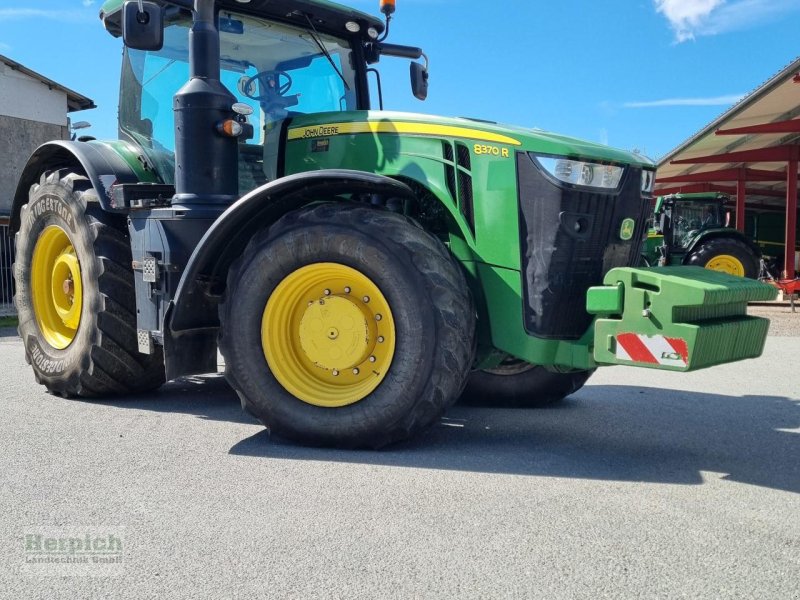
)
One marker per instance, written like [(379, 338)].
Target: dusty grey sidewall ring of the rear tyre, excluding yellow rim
[(53, 204)]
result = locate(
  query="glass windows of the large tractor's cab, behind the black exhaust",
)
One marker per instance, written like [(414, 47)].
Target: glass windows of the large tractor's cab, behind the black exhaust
[(280, 71)]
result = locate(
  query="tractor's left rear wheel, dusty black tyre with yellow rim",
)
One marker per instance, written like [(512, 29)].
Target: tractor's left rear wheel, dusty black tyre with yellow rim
[(75, 294)]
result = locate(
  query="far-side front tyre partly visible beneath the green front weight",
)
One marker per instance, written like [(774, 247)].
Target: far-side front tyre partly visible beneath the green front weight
[(517, 384)]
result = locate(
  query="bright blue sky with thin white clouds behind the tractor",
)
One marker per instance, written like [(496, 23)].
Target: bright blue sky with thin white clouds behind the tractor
[(643, 74)]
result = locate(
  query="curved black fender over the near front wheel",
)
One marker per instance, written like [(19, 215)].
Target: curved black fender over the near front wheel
[(191, 320)]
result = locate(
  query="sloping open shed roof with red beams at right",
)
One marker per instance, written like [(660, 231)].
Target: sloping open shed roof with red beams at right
[(775, 101)]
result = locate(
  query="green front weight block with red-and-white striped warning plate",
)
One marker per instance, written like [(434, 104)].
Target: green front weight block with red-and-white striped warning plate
[(676, 318)]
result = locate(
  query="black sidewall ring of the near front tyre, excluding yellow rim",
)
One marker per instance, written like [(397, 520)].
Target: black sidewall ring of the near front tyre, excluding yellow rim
[(404, 288)]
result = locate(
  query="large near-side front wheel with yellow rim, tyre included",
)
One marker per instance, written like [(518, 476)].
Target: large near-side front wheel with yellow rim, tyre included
[(346, 326)]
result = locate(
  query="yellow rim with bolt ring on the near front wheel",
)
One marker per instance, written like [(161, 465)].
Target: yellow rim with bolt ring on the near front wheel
[(328, 335)]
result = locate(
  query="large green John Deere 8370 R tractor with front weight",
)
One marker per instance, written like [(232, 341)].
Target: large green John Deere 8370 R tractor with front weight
[(356, 268)]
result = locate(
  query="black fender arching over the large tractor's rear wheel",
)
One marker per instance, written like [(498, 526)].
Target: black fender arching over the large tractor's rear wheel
[(104, 163)]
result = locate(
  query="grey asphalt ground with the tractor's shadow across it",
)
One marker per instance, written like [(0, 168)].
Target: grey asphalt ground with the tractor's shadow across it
[(642, 485)]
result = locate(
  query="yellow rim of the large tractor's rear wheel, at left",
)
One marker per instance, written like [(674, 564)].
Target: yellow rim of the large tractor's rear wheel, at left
[(56, 287)]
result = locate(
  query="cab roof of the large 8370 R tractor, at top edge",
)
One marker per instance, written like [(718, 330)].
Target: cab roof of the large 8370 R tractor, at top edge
[(328, 16)]
